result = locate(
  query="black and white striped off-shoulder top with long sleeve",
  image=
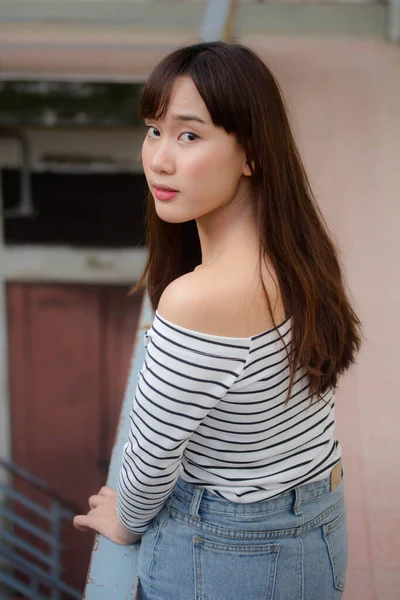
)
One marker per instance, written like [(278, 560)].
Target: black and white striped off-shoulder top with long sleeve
[(211, 410)]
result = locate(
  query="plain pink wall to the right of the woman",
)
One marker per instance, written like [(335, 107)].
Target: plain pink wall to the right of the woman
[(344, 97)]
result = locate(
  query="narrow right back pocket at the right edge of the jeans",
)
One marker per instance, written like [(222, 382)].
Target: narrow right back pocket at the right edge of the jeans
[(335, 535)]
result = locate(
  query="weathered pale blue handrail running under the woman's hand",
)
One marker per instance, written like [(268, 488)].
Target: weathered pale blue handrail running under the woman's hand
[(112, 571)]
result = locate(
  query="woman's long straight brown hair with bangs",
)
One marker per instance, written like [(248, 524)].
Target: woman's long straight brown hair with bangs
[(243, 97)]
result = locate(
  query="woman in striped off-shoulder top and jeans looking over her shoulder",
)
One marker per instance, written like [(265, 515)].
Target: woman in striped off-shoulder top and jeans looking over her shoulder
[(232, 476)]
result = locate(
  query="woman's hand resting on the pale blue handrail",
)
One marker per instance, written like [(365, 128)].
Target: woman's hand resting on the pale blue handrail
[(102, 517)]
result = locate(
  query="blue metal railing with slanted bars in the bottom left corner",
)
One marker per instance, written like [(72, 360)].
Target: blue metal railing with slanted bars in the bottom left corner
[(42, 577)]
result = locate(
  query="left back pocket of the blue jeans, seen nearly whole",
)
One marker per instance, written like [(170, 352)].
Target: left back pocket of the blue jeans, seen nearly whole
[(234, 571)]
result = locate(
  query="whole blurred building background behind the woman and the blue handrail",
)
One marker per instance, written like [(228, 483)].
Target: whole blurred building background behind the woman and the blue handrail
[(72, 200)]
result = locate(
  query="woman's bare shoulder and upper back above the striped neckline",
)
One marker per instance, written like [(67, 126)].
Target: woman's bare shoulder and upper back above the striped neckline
[(217, 303)]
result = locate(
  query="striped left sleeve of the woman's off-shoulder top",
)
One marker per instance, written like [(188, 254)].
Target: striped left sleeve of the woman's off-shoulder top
[(184, 375)]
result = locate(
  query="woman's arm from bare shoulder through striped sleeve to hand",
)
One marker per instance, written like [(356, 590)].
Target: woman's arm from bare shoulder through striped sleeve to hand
[(182, 379)]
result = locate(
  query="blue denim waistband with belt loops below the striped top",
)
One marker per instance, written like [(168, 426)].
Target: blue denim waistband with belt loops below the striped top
[(195, 495)]
